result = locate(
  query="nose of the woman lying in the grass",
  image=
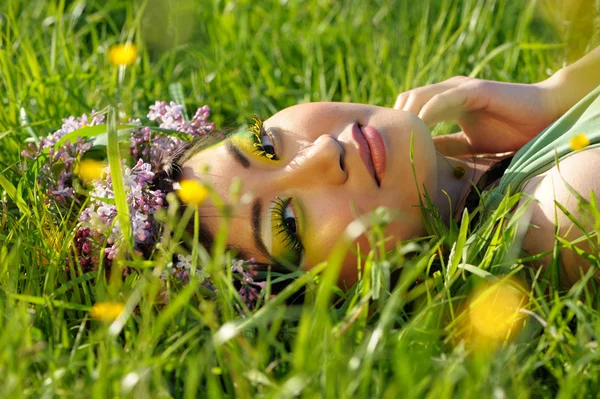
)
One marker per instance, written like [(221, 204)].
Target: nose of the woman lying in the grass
[(320, 162)]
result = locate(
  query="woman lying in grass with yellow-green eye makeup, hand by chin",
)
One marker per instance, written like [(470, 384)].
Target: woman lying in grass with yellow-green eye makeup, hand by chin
[(311, 169)]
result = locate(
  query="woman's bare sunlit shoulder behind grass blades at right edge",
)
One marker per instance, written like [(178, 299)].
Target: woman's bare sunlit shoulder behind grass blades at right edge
[(568, 184)]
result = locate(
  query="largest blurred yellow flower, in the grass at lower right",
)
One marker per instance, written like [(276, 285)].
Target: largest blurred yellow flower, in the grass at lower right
[(493, 314)]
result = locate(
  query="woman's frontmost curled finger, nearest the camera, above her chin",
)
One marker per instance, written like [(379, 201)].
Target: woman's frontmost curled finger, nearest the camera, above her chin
[(449, 105)]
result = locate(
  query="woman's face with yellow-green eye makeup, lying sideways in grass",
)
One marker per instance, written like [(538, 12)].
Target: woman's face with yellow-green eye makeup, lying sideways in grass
[(314, 169)]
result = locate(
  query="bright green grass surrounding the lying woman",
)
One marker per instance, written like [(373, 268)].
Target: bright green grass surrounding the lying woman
[(249, 57)]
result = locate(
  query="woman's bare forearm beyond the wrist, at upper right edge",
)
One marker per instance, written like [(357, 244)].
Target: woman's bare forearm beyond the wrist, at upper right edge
[(570, 84)]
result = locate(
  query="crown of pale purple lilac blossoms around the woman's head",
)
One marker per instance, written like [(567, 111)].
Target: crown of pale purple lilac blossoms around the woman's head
[(66, 168)]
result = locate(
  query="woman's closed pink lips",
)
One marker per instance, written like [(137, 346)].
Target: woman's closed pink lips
[(371, 149)]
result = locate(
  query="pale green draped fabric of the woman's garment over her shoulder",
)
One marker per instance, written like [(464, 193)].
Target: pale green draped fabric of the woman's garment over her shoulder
[(541, 153)]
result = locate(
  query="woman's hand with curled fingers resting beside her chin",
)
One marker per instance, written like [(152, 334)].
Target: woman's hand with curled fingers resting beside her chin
[(495, 117)]
